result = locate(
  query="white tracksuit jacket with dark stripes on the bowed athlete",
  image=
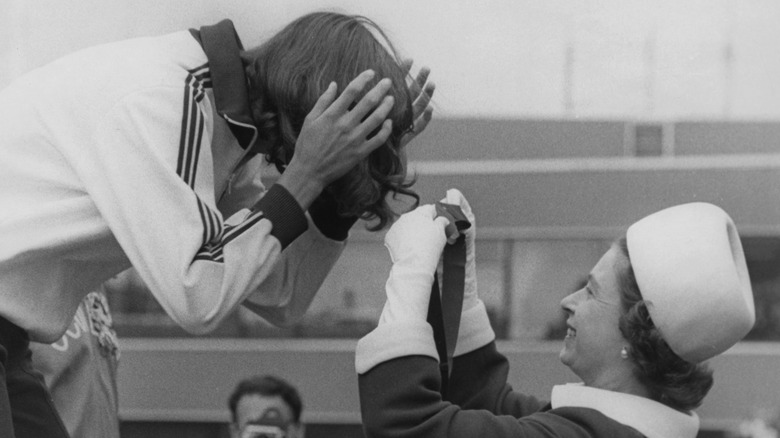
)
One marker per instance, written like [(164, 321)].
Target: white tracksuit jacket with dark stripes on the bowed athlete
[(118, 155)]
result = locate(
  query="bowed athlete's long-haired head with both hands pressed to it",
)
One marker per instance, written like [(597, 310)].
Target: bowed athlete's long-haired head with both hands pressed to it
[(347, 139)]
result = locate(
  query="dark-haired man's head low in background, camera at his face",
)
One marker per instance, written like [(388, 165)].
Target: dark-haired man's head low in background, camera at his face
[(265, 406)]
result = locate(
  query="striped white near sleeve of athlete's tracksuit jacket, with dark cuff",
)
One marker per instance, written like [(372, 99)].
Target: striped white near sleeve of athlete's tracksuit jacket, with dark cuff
[(147, 168)]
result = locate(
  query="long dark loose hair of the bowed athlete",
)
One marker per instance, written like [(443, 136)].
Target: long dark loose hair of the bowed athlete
[(289, 72)]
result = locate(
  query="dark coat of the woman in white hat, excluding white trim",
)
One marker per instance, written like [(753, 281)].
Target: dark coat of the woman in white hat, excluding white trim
[(400, 398)]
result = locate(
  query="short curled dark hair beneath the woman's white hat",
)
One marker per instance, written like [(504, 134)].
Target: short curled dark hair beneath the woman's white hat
[(669, 379)]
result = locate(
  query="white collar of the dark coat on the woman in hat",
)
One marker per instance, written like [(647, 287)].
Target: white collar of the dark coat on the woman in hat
[(650, 418)]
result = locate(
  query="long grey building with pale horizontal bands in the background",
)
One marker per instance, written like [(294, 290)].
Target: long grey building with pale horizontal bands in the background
[(549, 201)]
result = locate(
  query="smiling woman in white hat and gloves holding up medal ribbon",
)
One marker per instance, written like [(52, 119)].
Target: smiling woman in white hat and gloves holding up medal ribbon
[(671, 294)]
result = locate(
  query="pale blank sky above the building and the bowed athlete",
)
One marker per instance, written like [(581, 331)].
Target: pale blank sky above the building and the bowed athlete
[(660, 60)]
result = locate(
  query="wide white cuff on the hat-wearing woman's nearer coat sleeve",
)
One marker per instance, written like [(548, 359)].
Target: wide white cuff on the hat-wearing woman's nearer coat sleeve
[(394, 340)]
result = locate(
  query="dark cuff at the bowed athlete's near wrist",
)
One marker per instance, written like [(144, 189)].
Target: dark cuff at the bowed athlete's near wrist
[(281, 208)]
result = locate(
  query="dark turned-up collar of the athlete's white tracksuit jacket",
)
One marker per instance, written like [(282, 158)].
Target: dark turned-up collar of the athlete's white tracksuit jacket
[(222, 46)]
